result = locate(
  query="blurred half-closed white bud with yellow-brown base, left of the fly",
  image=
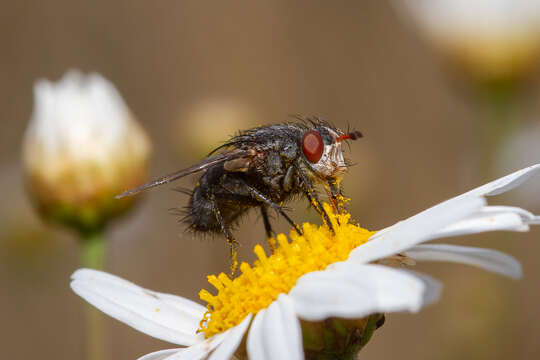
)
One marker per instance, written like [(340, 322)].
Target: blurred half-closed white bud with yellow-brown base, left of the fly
[(81, 147)]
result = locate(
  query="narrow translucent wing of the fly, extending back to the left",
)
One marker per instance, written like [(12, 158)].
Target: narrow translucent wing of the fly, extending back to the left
[(200, 166)]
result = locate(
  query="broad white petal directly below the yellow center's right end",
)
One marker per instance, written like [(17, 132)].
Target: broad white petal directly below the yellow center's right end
[(352, 290)]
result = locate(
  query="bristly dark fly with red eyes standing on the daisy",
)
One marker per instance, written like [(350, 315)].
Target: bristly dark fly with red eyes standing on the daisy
[(263, 167)]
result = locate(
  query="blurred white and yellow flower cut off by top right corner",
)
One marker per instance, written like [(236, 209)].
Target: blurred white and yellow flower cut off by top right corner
[(490, 39)]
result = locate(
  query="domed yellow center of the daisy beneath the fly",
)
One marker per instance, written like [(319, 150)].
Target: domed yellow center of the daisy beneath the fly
[(259, 285)]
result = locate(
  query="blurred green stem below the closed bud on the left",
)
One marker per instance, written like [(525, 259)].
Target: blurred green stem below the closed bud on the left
[(93, 256)]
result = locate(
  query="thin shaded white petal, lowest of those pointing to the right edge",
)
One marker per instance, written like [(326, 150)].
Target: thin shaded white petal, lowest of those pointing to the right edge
[(486, 259)]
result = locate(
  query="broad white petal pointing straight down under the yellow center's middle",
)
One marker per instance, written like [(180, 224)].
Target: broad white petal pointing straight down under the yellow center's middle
[(275, 333)]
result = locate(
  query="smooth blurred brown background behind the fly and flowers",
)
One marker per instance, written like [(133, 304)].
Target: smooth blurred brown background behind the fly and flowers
[(195, 72)]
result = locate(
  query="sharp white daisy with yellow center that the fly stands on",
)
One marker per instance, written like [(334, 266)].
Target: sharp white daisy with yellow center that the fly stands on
[(266, 312)]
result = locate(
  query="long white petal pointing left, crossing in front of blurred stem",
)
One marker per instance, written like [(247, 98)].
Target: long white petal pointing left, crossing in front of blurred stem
[(163, 316)]
